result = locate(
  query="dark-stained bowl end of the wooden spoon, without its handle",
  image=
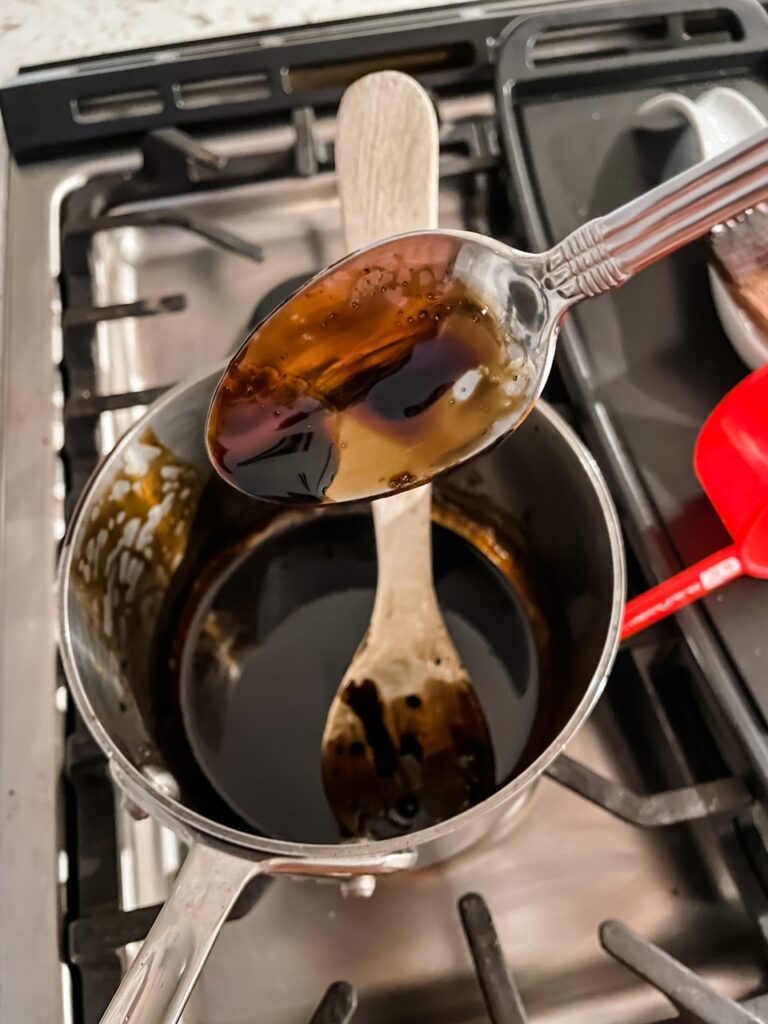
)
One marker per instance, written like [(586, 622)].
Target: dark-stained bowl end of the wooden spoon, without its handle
[(408, 745)]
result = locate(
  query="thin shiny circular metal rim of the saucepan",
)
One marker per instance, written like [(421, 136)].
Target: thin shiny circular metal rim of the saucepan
[(194, 826)]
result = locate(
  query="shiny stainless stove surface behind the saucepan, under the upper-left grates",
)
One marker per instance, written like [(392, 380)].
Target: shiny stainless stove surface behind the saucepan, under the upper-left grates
[(296, 222)]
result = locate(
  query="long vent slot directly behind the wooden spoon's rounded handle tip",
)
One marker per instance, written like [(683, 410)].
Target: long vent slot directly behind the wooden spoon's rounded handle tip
[(343, 73)]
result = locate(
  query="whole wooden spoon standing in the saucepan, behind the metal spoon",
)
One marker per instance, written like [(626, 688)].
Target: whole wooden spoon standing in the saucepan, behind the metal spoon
[(406, 744)]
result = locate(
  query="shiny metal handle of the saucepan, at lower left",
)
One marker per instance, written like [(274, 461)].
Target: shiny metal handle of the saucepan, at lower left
[(161, 979)]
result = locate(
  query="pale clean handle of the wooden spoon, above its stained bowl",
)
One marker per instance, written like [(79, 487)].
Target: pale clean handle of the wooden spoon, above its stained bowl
[(388, 162)]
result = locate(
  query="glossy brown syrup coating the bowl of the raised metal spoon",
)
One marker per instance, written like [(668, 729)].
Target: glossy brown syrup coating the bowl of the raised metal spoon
[(380, 374)]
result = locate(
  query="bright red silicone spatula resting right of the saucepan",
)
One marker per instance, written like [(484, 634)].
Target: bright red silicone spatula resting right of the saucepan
[(732, 463)]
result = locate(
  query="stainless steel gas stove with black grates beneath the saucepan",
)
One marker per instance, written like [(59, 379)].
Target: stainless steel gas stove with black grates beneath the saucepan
[(159, 204)]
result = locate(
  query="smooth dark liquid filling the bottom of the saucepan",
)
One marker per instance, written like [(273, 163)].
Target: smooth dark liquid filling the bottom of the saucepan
[(272, 639)]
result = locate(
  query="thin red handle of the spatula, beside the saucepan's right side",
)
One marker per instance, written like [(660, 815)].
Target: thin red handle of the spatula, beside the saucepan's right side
[(680, 590)]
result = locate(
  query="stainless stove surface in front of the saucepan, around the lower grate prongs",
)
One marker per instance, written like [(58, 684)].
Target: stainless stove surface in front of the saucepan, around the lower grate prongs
[(550, 875)]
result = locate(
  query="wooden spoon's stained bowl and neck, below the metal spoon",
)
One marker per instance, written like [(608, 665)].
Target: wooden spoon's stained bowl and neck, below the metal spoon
[(407, 744)]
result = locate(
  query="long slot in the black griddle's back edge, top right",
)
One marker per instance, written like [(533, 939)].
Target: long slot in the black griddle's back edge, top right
[(643, 35)]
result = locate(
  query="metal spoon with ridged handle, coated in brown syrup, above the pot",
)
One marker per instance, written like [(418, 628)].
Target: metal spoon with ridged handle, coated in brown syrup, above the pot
[(370, 402)]
